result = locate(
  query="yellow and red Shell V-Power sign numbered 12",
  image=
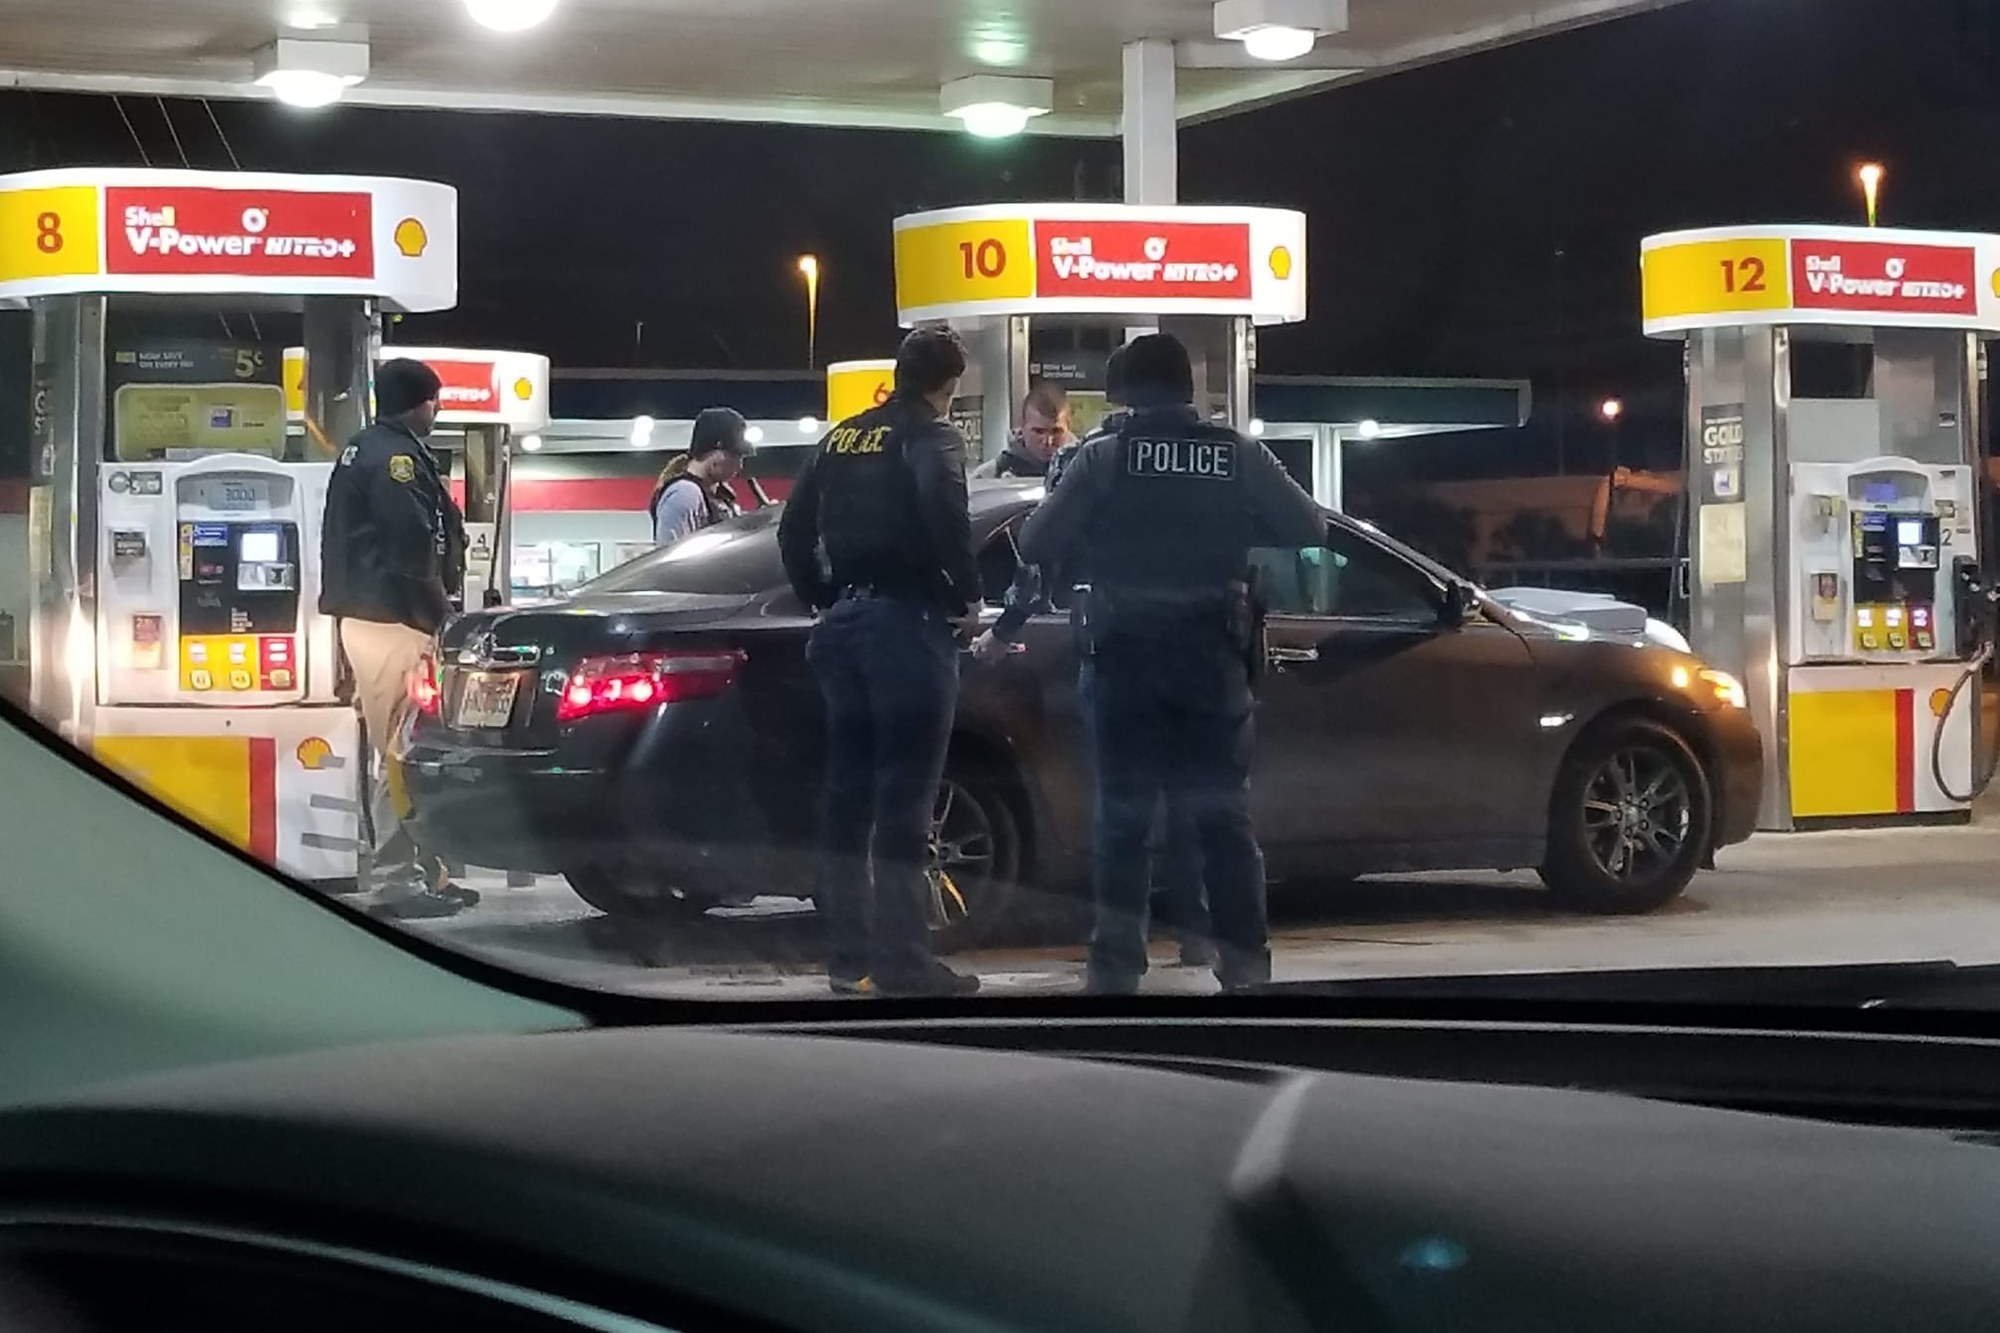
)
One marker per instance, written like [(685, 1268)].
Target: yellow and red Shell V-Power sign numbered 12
[(1819, 275)]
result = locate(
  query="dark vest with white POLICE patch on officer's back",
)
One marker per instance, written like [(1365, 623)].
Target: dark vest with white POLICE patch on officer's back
[(1177, 515)]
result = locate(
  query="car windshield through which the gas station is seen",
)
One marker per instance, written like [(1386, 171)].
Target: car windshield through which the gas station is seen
[(879, 499)]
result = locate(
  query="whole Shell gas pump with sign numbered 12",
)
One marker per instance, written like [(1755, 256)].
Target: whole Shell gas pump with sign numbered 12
[(1835, 393)]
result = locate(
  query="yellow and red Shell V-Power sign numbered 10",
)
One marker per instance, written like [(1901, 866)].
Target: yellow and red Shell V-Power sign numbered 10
[(1101, 259)]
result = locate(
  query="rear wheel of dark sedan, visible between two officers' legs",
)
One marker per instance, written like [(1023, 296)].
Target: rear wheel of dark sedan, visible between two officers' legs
[(977, 848)]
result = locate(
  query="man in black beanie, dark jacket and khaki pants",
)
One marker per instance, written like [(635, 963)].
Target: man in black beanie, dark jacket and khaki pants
[(385, 555)]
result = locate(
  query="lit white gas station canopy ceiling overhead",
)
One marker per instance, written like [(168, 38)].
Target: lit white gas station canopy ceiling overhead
[(847, 63)]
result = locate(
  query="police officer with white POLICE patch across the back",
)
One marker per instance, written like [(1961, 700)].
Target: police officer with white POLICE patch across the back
[(1165, 515)]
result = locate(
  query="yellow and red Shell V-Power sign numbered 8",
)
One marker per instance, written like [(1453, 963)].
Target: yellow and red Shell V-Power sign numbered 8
[(229, 233)]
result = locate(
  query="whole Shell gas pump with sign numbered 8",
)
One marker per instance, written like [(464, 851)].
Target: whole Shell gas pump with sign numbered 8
[(175, 519)]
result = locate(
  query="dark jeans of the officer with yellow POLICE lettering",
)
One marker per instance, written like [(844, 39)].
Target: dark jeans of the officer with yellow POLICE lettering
[(889, 676)]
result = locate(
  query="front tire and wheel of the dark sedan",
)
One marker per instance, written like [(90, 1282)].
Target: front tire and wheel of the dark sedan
[(1631, 820)]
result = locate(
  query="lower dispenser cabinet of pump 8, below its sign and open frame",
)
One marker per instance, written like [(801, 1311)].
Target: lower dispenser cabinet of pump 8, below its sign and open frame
[(215, 670)]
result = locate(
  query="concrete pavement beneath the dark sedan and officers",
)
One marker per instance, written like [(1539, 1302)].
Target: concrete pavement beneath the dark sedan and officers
[(1779, 900)]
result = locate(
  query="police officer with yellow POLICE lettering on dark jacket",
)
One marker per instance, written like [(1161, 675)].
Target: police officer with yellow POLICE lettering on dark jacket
[(887, 497)]
